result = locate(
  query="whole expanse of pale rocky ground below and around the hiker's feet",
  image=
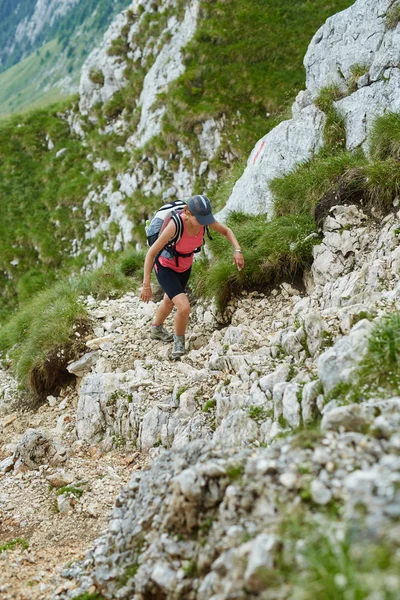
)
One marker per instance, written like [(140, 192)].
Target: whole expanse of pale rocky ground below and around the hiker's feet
[(228, 444)]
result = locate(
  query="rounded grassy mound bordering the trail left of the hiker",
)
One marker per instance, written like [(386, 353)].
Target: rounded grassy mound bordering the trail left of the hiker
[(48, 331)]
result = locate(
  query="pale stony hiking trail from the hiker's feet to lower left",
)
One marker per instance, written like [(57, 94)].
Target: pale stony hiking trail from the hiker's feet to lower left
[(58, 528)]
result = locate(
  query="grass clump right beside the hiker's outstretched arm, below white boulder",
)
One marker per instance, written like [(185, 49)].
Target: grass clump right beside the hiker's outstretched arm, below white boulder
[(273, 251)]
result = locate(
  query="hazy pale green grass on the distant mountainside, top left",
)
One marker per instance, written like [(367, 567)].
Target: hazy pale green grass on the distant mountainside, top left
[(58, 51)]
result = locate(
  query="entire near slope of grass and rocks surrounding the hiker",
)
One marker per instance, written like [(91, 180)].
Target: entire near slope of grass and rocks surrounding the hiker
[(265, 463)]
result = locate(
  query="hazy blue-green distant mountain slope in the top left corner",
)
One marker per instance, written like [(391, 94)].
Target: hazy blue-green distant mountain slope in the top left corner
[(46, 42)]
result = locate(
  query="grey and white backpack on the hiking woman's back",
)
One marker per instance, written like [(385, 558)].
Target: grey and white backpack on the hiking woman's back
[(159, 222)]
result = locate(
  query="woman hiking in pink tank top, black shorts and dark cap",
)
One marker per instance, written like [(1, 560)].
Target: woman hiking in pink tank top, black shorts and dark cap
[(173, 271)]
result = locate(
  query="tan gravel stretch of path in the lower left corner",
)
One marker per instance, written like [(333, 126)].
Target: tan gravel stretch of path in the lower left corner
[(56, 529)]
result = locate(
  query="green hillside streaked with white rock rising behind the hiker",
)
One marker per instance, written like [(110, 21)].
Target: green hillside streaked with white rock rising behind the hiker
[(61, 210)]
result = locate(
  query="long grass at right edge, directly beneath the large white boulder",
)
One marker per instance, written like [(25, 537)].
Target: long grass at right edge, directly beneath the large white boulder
[(340, 176)]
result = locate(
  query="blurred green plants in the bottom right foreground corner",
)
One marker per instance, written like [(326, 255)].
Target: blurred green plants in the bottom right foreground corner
[(333, 562)]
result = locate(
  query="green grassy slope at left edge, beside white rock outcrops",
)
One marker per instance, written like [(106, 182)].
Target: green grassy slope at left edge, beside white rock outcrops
[(41, 204)]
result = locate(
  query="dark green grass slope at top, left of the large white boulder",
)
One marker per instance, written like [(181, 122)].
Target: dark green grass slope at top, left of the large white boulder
[(237, 59)]
